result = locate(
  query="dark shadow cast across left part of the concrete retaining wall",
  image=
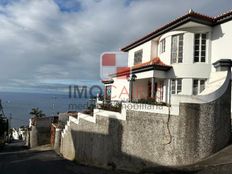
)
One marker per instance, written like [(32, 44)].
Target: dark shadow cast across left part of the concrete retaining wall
[(104, 150)]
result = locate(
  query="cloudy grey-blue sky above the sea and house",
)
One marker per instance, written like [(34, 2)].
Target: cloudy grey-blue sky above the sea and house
[(61, 40)]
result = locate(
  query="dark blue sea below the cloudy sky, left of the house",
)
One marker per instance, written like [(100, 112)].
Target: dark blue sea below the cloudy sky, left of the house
[(19, 105)]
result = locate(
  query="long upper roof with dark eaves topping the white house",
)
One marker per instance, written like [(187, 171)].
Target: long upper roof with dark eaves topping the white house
[(190, 16)]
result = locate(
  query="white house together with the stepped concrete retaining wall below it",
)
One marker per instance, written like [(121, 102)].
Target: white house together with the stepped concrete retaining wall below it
[(183, 72)]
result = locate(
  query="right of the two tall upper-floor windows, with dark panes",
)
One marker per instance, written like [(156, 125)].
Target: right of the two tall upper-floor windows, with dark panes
[(200, 47)]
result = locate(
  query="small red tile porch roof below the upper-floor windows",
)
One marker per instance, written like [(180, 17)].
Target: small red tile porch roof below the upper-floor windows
[(155, 62)]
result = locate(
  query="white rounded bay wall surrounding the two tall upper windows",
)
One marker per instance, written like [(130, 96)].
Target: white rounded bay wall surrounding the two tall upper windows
[(187, 70)]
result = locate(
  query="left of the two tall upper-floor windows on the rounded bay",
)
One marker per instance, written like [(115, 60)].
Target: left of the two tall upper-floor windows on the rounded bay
[(177, 48)]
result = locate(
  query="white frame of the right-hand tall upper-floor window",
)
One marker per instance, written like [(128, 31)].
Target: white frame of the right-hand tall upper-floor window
[(197, 57)]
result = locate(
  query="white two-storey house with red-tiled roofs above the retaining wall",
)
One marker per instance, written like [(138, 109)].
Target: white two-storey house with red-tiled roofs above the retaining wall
[(175, 62)]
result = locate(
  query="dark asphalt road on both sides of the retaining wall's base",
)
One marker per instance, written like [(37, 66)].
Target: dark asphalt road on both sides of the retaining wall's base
[(16, 159)]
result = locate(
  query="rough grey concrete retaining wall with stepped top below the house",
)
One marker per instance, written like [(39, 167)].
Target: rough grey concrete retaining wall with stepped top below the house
[(148, 139)]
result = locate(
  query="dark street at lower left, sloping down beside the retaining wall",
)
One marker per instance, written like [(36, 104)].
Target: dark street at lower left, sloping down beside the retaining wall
[(16, 159)]
